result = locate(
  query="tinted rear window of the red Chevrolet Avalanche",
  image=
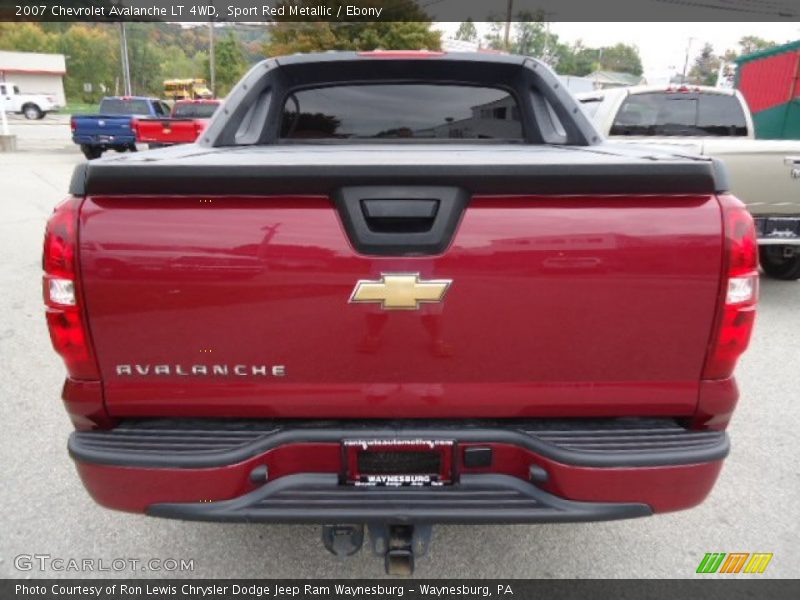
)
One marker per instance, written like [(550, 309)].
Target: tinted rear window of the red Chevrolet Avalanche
[(401, 111)]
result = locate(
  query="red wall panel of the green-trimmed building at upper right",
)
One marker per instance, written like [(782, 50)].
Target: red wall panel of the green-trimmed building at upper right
[(770, 81)]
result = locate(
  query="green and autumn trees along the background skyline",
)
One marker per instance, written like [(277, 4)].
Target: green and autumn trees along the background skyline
[(159, 51)]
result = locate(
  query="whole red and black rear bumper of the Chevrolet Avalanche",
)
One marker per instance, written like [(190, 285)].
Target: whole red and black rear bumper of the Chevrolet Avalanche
[(540, 471)]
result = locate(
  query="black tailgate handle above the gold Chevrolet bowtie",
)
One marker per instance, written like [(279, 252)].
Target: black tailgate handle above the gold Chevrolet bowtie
[(398, 215)]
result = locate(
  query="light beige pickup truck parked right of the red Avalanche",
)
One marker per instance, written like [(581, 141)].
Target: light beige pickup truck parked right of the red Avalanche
[(715, 122)]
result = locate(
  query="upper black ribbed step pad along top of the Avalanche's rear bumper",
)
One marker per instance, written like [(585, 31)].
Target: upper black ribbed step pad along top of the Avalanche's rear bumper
[(592, 443)]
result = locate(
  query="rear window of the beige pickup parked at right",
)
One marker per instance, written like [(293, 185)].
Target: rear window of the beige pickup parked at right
[(688, 114)]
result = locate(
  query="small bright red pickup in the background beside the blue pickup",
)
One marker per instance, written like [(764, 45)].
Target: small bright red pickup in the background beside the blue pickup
[(186, 122)]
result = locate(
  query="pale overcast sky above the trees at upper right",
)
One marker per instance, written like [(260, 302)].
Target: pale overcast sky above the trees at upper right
[(662, 46)]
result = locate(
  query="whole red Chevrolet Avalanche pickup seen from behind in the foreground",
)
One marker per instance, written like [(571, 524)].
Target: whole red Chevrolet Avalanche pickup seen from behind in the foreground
[(393, 289)]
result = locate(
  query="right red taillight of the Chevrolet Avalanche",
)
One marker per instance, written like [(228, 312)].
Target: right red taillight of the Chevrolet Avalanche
[(739, 296)]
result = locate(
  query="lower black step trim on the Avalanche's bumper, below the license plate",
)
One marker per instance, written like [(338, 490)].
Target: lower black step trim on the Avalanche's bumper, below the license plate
[(319, 498)]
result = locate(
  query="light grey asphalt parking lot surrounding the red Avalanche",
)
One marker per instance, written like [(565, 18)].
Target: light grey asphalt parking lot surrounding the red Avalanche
[(755, 506)]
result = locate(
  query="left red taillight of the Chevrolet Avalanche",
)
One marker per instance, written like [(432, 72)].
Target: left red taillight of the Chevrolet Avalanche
[(65, 320)]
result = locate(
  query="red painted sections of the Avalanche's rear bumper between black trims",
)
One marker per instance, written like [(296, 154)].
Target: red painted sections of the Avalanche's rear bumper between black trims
[(134, 489)]
